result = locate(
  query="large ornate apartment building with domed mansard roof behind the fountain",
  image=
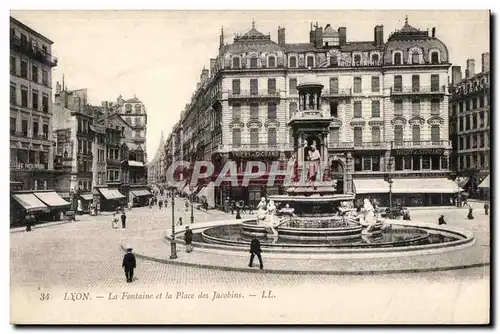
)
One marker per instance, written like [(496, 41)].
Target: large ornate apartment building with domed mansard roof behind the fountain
[(388, 100)]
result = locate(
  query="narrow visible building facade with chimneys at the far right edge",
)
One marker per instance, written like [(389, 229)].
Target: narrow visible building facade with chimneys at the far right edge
[(470, 122)]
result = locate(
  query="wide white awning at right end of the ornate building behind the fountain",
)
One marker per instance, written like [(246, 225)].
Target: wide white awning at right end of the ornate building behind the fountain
[(425, 185)]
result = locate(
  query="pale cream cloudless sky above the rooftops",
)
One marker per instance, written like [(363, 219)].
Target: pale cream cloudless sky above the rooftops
[(158, 55)]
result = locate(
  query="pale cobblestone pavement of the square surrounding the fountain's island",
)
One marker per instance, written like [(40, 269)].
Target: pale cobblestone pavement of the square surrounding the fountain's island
[(87, 254)]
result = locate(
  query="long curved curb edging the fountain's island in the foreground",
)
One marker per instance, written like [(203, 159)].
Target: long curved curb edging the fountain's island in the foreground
[(299, 272)]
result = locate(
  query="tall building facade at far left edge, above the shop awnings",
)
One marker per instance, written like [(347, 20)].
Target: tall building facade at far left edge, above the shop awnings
[(31, 150)]
